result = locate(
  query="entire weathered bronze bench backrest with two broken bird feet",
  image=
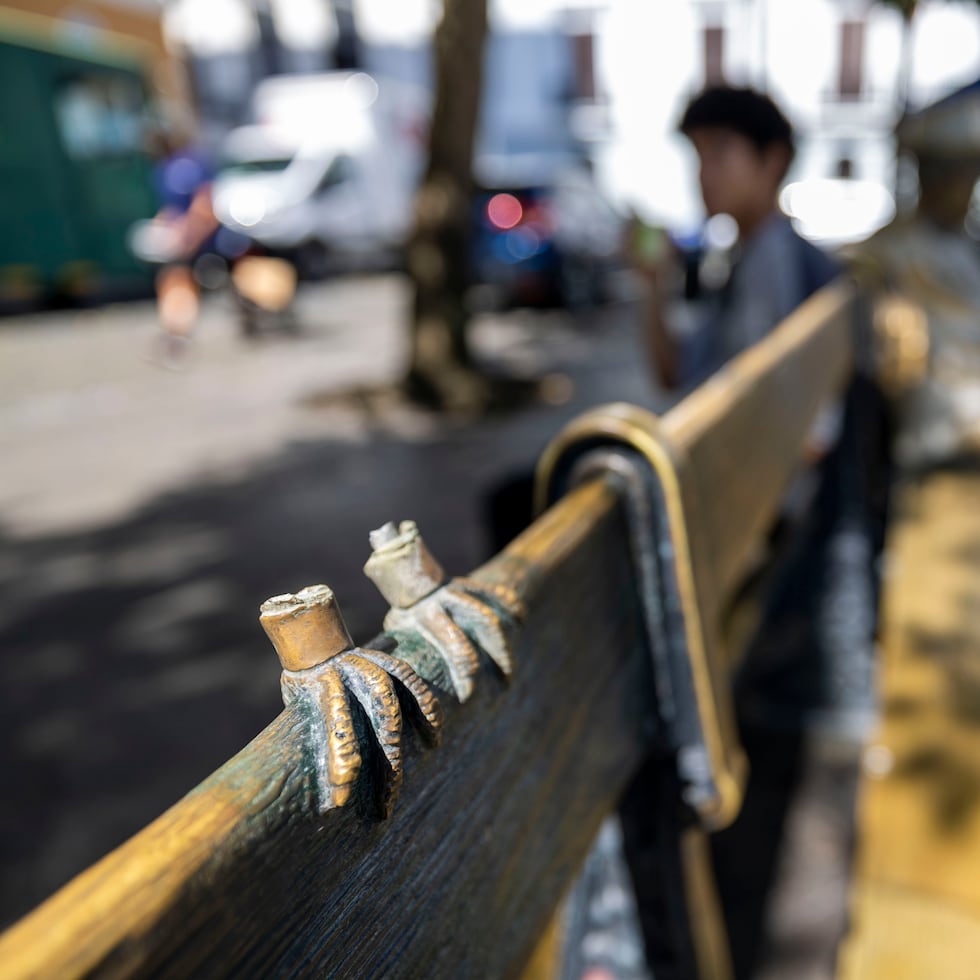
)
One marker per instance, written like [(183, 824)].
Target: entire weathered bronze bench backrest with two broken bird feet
[(280, 864)]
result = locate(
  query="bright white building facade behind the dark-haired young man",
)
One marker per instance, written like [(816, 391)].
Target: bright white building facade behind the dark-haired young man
[(833, 65)]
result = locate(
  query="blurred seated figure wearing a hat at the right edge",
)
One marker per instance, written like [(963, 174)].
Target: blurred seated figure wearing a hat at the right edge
[(924, 271)]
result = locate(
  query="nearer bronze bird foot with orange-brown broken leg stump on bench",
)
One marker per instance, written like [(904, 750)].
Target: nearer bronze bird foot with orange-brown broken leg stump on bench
[(321, 670)]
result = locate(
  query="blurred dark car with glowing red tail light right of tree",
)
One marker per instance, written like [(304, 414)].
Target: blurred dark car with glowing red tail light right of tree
[(550, 240)]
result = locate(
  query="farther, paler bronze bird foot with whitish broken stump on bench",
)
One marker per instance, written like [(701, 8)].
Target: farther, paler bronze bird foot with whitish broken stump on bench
[(455, 619)]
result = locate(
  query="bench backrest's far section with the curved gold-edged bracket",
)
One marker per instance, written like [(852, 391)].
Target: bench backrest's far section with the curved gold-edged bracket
[(723, 458)]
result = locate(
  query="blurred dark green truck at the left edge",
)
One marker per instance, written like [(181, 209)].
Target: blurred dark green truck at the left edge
[(74, 173)]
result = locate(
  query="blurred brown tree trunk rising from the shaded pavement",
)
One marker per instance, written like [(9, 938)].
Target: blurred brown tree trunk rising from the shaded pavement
[(441, 370)]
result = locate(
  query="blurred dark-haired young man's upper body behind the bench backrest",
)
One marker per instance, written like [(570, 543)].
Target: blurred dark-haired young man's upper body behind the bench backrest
[(745, 146)]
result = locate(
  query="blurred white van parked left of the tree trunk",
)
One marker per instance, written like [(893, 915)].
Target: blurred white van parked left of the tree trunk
[(328, 173)]
